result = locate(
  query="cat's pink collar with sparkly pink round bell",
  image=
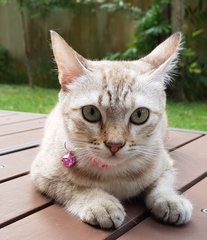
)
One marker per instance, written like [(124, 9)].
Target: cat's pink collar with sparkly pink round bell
[(69, 160)]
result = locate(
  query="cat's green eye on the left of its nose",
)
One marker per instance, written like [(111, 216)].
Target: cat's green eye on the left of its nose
[(91, 113)]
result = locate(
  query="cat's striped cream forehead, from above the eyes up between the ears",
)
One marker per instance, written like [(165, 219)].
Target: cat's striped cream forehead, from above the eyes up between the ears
[(115, 85)]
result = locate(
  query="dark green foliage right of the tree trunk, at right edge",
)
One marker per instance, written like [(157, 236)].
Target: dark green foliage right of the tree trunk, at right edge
[(194, 67)]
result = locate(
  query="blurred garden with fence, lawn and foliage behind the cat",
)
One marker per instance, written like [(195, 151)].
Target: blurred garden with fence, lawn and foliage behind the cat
[(101, 29)]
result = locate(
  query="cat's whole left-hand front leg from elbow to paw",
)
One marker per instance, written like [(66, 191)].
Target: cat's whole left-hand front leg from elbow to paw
[(91, 205)]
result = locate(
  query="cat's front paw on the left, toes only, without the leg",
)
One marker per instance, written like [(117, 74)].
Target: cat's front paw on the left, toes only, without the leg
[(106, 213)]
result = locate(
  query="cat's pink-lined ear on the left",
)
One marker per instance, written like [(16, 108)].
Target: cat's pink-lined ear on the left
[(70, 64)]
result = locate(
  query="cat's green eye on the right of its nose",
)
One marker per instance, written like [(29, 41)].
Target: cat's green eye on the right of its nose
[(140, 116)]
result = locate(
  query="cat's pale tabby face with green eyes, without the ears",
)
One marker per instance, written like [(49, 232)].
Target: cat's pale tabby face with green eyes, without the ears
[(112, 114)]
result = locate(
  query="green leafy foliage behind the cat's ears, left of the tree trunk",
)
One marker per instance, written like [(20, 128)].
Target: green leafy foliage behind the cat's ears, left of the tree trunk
[(152, 27)]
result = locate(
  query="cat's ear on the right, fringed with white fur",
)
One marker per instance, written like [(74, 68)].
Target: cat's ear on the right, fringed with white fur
[(164, 57)]
